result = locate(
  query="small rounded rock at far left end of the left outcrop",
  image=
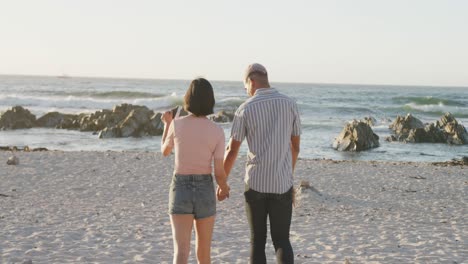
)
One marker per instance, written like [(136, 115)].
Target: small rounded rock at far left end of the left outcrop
[(17, 118)]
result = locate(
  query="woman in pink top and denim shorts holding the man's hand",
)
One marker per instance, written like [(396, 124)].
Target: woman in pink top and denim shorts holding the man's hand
[(198, 143)]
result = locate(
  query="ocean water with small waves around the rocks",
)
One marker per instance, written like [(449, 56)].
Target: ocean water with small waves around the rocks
[(325, 109)]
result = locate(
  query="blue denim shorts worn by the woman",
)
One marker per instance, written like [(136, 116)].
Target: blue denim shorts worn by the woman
[(192, 194)]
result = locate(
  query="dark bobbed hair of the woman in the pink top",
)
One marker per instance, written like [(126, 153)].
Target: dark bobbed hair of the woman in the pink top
[(199, 98)]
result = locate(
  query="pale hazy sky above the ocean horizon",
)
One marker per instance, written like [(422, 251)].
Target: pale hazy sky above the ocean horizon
[(349, 41)]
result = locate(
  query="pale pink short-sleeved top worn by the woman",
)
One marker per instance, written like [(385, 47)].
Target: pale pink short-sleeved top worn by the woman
[(197, 141)]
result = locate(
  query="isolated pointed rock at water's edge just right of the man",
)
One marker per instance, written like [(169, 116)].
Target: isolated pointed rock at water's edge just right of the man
[(356, 136)]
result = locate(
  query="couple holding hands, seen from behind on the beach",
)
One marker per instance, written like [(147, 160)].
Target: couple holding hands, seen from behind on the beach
[(271, 124)]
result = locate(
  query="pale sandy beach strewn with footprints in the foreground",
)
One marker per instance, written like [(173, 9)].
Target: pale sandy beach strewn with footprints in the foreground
[(110, 207)]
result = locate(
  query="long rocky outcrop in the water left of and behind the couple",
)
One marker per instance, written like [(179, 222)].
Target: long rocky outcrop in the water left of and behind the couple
[(124, 120)]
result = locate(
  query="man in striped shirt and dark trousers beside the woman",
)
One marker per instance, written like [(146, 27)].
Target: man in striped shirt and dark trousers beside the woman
[(270, 122)]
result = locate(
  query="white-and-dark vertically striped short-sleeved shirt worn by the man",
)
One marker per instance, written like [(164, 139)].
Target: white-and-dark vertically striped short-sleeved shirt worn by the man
[(268, 120)]
